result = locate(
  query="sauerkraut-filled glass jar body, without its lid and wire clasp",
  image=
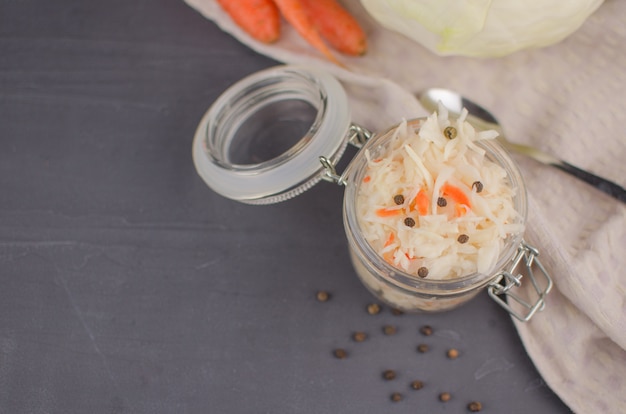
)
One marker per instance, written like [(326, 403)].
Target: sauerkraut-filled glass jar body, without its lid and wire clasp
[(433, 210)]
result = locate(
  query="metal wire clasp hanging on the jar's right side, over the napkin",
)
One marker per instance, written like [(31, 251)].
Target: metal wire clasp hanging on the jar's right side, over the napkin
[(506, 280)]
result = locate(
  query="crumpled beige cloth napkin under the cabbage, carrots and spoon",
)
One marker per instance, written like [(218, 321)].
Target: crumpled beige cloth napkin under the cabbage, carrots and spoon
[(568, 99)]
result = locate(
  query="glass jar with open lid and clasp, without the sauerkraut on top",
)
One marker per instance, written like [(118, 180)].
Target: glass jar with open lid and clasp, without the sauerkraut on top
[(306, 112)]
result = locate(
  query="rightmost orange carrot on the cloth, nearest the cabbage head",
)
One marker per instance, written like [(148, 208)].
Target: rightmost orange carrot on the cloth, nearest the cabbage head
[(337, 26)]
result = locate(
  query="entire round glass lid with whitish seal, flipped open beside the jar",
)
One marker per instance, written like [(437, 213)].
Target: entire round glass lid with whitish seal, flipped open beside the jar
[(262, 139)]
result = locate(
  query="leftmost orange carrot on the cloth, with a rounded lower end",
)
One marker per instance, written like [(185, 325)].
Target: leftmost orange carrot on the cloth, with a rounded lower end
[(259, 18)]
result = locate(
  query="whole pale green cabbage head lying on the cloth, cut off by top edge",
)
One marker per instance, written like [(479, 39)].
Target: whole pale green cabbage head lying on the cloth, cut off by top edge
[(482, 28)]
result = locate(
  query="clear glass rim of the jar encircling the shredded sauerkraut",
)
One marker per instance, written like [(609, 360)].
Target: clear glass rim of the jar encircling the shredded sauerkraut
[(406, 281)]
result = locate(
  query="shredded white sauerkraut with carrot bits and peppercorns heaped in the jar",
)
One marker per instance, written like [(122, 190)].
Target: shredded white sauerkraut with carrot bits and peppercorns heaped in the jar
[(481, 207)]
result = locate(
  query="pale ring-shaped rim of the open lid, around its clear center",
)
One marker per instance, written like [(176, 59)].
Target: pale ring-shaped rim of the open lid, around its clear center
[(295, 170)]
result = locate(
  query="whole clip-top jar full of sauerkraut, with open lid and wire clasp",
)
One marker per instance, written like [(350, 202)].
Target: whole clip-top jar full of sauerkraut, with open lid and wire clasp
[(433, 209)]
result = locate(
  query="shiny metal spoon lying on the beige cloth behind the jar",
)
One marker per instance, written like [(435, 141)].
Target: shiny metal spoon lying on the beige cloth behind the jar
[(481, 118)]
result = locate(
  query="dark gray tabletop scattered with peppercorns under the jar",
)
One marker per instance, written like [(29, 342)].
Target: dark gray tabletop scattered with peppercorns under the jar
[(127, 286)]
